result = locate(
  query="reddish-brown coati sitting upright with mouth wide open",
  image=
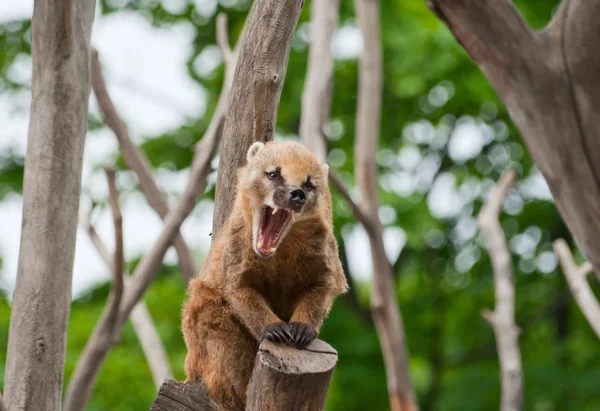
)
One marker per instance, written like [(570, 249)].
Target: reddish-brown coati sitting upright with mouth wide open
[(272, 273)]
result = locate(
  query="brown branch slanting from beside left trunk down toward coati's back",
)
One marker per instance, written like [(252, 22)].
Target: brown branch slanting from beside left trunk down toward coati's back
[(137, 161)]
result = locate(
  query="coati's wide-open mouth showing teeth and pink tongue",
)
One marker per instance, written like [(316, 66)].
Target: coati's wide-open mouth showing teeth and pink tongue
[(273, 223)]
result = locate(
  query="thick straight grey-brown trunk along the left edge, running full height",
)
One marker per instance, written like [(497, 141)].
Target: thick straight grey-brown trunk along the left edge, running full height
[(61, 54)]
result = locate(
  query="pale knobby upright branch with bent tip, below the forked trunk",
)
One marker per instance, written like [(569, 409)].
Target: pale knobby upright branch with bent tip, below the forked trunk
[(502, 318)]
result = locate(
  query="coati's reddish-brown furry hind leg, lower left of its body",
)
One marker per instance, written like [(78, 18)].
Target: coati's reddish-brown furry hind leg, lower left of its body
[(221, 351)]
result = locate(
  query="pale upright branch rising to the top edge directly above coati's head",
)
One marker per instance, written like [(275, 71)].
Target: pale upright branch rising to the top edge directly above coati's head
[(316, 98)]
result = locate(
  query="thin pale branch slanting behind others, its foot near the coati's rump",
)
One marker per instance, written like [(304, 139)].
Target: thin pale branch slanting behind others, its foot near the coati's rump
[(142, 322)]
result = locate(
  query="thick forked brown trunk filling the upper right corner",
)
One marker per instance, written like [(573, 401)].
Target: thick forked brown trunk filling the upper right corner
[(548, 81)]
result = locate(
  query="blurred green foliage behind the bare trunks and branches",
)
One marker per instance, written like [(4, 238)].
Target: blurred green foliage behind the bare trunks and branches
[(443, 275)]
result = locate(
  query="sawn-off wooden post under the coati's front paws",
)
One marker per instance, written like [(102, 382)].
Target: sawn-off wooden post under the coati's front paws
[(285, 378)]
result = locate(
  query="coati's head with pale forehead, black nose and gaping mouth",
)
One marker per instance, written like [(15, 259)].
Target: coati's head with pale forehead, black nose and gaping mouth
[(285, 184)]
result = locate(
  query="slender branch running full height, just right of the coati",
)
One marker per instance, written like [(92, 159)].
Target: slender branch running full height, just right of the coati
[(384, 307)]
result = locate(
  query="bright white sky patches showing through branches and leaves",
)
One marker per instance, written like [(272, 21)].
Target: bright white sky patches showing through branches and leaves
[(139, 59)]
